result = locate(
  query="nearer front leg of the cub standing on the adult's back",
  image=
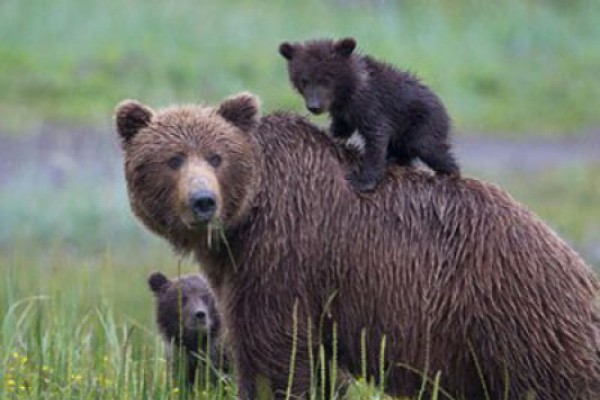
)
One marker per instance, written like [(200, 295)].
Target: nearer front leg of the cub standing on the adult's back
[(374, 160)]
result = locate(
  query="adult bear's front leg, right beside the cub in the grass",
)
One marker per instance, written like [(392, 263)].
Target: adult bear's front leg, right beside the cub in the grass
[(266, 338)]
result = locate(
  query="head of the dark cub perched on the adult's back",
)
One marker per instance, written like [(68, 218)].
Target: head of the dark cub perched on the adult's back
[(320, 70)]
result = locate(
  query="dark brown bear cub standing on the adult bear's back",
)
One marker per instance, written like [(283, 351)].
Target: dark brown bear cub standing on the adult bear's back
[(397, 117)]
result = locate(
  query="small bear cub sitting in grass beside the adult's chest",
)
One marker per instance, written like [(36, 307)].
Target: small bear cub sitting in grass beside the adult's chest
[(195, 331)]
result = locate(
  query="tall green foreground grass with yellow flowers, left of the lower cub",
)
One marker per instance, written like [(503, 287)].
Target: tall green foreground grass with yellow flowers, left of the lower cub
[(75, 329)]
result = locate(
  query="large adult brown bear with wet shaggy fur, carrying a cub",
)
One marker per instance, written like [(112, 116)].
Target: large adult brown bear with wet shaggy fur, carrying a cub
[(427, 275)]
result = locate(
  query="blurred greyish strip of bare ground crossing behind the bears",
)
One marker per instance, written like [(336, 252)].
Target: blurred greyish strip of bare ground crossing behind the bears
[(55, 151)]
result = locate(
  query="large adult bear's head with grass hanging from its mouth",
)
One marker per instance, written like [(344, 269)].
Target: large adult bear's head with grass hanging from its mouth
[(190, 169)]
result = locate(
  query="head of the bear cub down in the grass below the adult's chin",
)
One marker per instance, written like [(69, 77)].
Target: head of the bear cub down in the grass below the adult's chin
[(185, 306)]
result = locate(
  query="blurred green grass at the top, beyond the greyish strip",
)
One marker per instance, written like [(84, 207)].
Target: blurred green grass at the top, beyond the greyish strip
[(510, 66)]
